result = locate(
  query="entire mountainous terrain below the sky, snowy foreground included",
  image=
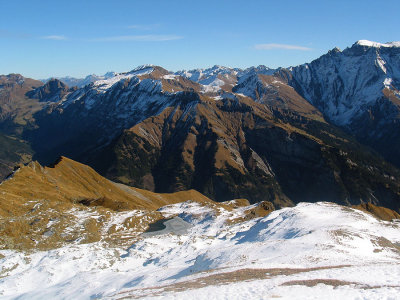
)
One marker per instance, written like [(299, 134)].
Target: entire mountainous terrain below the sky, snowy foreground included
[(205, 183)]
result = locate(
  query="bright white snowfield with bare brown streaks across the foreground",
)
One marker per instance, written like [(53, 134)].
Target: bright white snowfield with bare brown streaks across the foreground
[(310, 251)]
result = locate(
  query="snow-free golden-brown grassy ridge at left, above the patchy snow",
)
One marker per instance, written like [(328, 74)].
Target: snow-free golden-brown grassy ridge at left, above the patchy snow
[(70, 182)]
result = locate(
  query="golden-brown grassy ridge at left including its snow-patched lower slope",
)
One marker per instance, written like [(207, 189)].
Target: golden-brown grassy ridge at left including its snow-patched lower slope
[(47, 207)]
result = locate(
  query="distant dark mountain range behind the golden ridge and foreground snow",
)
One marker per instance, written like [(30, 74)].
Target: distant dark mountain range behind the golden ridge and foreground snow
[(326, 130)]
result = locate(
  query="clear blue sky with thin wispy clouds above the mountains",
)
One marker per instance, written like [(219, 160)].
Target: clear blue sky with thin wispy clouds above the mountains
[(44, 38)]
